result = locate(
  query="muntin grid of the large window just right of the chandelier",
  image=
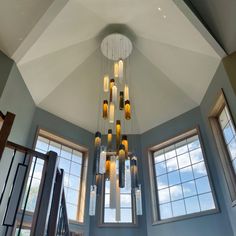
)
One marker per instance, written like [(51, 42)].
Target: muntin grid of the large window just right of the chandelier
[(181, 183)]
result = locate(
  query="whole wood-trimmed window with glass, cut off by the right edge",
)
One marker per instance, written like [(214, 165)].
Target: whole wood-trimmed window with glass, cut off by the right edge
[(224, 131)]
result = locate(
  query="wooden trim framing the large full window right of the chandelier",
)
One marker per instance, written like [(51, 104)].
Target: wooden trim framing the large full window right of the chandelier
[(154, 198)]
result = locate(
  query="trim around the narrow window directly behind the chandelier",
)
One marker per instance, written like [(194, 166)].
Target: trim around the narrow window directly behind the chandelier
[(101, 207)]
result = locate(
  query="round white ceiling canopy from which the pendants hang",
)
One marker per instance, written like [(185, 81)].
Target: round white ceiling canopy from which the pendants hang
[(116, 46)]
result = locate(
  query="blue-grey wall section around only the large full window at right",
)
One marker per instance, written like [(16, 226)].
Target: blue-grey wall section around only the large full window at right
[(215, 224)]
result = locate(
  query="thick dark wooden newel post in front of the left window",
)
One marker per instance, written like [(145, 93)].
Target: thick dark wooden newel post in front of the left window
[(44, 201)]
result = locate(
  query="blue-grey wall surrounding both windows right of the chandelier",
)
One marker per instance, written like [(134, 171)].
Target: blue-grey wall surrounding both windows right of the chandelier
[(222, 223)]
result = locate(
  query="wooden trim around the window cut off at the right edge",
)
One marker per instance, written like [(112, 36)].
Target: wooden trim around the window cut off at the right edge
[(228, 170)]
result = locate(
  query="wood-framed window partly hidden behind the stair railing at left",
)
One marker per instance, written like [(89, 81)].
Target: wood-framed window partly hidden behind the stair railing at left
[(74, 163)]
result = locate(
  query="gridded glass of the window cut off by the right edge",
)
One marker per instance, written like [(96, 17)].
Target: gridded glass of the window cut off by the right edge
[(229, 123)]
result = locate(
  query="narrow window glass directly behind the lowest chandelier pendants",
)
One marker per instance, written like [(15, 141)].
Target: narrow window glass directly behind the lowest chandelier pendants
[(126, 201)]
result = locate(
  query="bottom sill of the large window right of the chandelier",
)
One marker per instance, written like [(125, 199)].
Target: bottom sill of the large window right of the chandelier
[(186, 217)]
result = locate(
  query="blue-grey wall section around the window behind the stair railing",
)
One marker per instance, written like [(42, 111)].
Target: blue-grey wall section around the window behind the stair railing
[(67, 130)]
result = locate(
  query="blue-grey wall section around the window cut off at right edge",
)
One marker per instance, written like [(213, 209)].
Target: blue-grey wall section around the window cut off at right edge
[(219, 81)]
